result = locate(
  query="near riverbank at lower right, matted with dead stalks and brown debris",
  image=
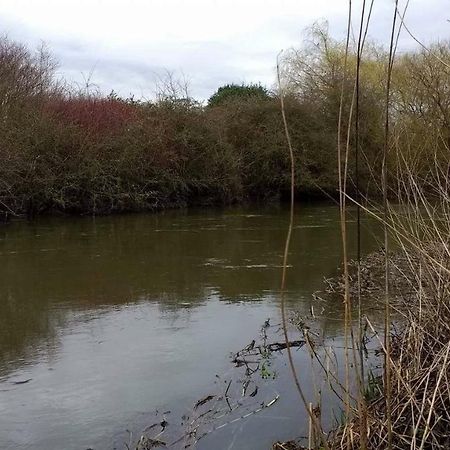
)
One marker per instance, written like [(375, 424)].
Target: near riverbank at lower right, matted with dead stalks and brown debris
[(410, 409)]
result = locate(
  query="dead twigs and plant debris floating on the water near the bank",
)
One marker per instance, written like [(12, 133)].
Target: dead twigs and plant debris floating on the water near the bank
[(238, 395)]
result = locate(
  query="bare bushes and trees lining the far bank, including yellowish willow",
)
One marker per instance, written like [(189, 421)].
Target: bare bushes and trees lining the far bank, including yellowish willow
[(70, 151)]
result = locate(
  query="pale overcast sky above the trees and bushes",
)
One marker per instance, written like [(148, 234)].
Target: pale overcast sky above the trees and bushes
[(125, 44)]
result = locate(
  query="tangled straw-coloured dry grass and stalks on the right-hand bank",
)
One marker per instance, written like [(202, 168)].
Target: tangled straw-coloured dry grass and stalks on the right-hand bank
[(419, 357)]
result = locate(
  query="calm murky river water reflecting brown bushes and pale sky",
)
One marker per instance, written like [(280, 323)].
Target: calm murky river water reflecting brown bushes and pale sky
[(114, 317)]
